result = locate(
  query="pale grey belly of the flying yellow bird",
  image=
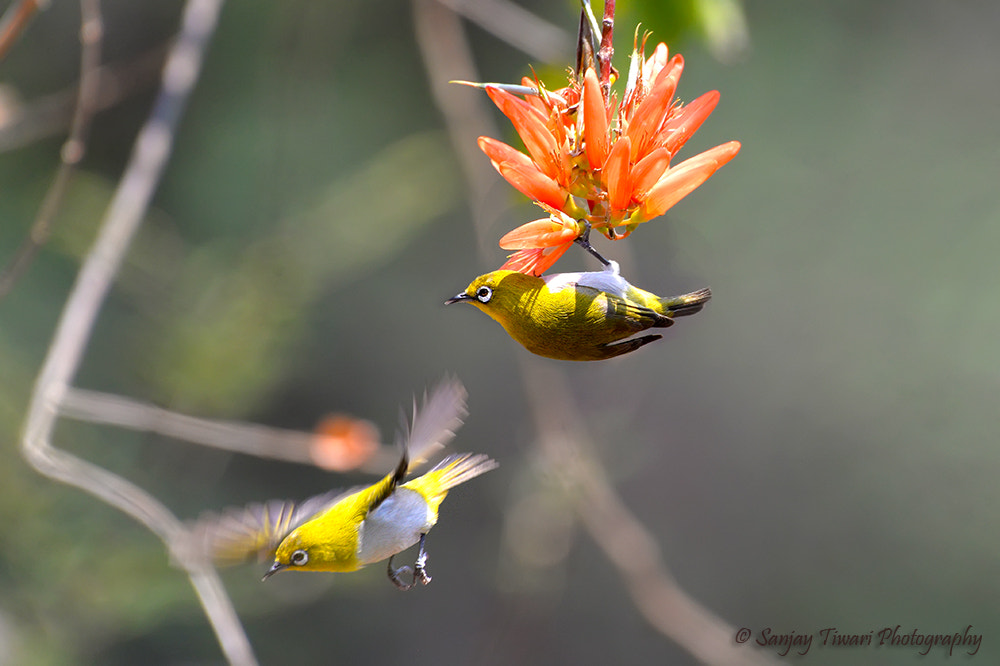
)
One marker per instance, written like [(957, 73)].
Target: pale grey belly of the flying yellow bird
[(394, 526)]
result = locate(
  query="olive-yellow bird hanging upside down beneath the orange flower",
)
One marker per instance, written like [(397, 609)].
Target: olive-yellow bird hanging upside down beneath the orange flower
[(576, 316)]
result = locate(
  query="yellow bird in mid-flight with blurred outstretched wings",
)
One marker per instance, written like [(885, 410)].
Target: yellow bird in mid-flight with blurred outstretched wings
[(344, 531)]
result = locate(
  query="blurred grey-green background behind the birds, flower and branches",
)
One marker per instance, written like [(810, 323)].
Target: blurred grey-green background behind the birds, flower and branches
[(819, 448)]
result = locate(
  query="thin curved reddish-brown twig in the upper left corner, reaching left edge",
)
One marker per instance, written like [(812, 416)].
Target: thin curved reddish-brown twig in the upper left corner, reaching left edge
[(91, 28)]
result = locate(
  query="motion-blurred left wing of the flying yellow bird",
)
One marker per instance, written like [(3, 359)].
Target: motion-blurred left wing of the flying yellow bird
[(238, 534)]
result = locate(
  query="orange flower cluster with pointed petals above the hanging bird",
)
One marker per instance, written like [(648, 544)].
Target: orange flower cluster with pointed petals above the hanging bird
[(592, 160)]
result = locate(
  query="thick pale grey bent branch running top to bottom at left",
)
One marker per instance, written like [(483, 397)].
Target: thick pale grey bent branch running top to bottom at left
[(125, 213)]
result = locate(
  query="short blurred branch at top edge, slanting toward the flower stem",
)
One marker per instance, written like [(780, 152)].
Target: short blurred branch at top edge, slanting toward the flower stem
[(517, 26)]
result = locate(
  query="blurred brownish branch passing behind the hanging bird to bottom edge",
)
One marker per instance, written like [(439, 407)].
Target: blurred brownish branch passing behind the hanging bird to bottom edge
[(565, 445)]
